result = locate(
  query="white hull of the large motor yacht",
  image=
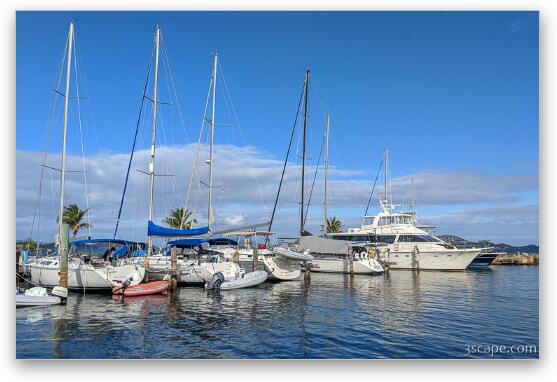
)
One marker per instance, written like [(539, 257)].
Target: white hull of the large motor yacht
[(447, 260)]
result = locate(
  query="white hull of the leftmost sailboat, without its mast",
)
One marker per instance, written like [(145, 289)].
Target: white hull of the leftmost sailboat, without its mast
[(46, 273)]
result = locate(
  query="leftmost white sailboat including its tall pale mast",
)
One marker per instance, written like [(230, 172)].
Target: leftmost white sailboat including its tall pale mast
[(82, 274)]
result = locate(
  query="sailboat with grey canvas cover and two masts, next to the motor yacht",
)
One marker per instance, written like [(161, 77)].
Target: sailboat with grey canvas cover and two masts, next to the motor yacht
[(329, 256)]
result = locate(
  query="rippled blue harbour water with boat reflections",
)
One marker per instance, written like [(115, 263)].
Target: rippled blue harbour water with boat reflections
[(402, 315)]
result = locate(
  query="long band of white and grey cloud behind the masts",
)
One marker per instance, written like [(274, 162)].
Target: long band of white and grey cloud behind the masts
[(245, 185)]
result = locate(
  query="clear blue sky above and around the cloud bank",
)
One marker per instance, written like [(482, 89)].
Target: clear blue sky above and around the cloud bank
[(448, 92)]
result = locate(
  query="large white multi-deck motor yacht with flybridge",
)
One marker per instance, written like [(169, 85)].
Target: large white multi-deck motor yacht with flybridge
[(404, 244)]
